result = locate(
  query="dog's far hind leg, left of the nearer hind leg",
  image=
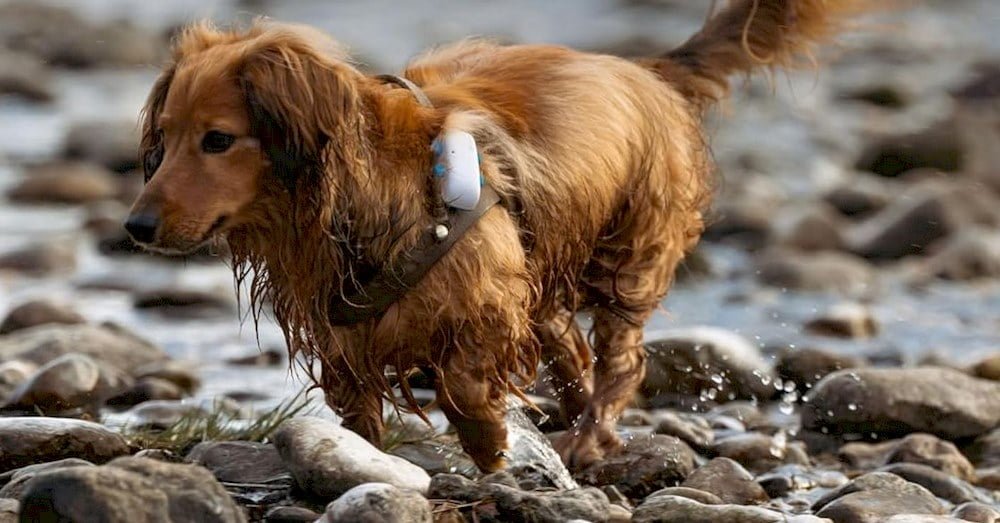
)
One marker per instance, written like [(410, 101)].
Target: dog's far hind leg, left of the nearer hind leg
[(566, 357)]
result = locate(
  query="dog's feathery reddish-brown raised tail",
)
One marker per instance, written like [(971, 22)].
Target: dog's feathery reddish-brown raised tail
[(750, 34)]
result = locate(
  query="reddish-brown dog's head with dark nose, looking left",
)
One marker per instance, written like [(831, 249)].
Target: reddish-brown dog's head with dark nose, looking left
[(235, 119)]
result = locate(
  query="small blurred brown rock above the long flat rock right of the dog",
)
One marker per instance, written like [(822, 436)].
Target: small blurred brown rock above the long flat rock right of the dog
[(816, 227)]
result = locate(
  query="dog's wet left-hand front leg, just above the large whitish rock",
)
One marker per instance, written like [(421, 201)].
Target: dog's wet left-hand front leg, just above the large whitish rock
[(360, 406)]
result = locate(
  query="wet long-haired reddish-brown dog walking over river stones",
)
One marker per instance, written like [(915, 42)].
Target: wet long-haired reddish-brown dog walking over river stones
[(317, 177)]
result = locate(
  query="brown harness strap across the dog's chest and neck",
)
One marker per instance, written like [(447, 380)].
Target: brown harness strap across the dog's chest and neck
[(363, 301)]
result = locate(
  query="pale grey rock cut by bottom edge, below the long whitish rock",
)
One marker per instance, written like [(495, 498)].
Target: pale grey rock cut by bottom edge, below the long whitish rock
[(378, 503)]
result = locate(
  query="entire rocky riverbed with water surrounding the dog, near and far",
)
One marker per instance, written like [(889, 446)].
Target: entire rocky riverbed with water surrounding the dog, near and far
[(830, 353)]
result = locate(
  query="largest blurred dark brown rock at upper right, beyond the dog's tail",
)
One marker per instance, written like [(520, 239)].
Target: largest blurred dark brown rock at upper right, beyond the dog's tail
[(936, 148)]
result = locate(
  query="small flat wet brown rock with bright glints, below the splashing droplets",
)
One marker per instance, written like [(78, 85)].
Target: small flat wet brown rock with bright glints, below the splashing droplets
[(759, 452)]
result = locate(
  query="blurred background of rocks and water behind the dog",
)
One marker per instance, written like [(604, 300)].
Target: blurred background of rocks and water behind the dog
[(858, 213)]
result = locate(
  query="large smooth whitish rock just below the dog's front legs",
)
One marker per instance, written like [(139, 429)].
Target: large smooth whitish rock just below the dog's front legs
[(327, 460)]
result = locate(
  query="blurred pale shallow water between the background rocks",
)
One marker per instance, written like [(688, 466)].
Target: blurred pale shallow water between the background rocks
[(803, 151)]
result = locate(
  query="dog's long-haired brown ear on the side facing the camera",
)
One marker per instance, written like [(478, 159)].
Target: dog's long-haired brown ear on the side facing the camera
[(303, 102)]
